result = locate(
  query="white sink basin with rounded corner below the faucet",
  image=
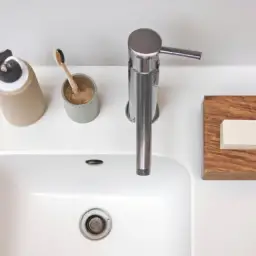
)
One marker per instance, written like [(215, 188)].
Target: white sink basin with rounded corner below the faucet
[(42, 199)]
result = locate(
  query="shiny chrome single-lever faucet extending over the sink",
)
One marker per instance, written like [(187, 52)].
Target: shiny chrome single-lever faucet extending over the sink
[(143, 73)]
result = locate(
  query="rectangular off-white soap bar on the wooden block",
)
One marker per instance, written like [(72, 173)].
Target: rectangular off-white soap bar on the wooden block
[(238, 134)]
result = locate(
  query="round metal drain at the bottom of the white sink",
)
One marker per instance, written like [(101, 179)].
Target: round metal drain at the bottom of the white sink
[(95, 224)]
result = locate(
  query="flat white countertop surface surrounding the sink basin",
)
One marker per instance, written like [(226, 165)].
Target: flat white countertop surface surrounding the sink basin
[(223, 212)]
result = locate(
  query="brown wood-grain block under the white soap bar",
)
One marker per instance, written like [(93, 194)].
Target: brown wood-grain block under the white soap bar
[(222, 164)]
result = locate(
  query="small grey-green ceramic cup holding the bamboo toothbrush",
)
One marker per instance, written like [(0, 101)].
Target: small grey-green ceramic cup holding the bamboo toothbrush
[(82, 113)]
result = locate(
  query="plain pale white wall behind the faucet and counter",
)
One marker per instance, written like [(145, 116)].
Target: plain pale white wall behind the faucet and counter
[(95, 32)]
